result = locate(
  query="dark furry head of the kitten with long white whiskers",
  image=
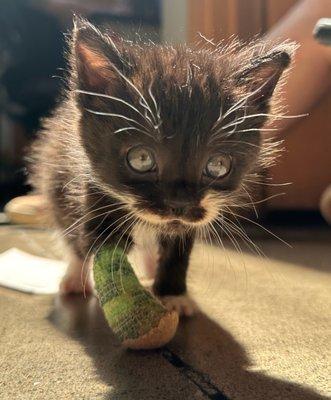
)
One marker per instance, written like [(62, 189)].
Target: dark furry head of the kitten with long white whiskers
[(172, 132)]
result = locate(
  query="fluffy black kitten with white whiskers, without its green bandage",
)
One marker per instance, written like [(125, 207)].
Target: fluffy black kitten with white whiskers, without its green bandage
[(151, 146)]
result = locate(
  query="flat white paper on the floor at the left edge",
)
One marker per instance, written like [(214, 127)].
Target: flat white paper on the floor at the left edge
[(29, 273)]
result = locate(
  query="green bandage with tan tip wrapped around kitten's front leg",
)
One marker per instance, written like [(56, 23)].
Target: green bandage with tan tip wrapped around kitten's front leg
[(132, 312)]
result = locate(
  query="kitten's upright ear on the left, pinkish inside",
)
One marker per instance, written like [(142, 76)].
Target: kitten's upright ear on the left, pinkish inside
[(96, 56)]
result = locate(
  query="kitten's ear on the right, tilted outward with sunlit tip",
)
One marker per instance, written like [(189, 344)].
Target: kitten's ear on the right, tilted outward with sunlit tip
[(260, 78)]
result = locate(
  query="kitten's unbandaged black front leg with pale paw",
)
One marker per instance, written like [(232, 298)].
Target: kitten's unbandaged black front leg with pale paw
[(170, 281)]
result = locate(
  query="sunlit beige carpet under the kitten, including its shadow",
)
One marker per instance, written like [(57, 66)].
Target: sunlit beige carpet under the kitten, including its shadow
[(265, 333)]
